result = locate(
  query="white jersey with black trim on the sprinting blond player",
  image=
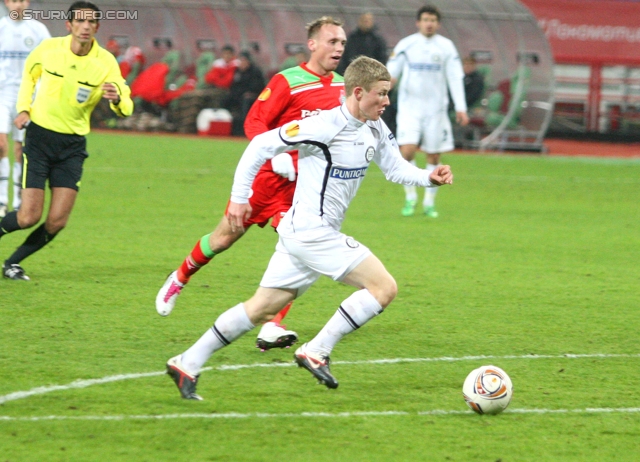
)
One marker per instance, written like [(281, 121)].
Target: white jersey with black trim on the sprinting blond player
[(335, 150)]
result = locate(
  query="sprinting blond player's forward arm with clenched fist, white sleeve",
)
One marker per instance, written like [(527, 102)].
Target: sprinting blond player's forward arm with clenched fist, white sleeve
[(398, 170)]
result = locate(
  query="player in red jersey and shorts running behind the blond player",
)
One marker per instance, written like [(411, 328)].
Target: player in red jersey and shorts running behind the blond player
[(292, 94)]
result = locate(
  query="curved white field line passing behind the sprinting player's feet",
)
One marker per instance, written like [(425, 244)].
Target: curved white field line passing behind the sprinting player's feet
[(116, 378)]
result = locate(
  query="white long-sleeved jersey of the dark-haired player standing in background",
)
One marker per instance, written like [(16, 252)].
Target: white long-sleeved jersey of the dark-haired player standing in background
[(426, 66)]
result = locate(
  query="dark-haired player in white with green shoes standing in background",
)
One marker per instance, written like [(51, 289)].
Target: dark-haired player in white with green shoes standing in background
[(426, 63)]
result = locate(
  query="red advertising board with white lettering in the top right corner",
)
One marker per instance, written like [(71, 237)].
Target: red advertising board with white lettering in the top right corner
[(590, 31)]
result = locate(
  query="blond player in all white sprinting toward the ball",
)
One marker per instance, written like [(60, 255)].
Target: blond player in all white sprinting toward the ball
[(335, 148)]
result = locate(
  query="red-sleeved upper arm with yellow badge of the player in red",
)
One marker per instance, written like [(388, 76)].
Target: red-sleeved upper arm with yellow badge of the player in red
[(265, 112)]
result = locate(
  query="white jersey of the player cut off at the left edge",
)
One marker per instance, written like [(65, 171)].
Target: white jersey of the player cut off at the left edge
[(17, 39)]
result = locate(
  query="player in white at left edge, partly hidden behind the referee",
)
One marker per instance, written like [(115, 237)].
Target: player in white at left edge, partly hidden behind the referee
[(17, 38)]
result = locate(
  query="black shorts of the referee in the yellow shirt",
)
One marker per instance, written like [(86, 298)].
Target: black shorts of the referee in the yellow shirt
[(53, 156)]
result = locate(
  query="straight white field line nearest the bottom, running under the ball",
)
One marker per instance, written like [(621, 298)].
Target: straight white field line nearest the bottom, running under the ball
[(312, 415)]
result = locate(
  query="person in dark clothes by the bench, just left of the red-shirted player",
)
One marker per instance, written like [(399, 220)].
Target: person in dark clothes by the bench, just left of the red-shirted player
[(248, 82)]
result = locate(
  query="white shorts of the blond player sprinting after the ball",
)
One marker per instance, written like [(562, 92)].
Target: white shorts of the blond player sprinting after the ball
[(299, 260)]
